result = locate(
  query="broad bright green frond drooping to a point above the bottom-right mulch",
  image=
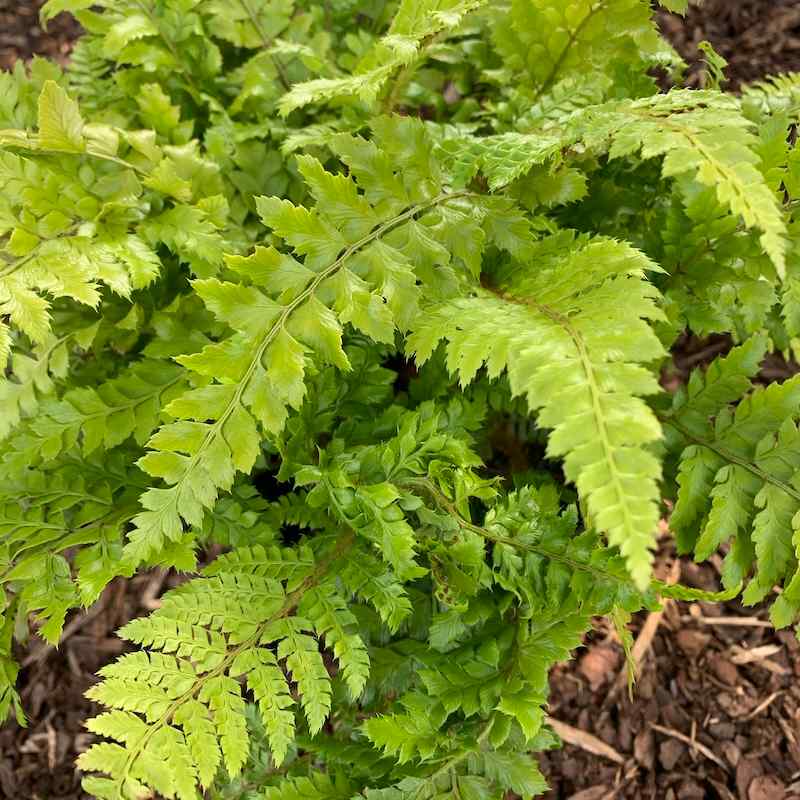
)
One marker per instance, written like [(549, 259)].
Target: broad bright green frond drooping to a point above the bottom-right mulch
[(565, 334)]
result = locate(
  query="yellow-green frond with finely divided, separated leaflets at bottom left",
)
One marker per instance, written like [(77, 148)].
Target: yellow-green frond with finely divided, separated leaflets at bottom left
[(236, 621)]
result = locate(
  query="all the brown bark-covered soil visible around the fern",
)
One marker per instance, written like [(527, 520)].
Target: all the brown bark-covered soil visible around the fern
[(716, 708)]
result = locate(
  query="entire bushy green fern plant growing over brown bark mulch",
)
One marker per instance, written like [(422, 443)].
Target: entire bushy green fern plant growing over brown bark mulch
[(273, 276)]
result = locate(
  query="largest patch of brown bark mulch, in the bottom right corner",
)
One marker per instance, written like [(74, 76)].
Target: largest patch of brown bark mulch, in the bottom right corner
[(715, 710)]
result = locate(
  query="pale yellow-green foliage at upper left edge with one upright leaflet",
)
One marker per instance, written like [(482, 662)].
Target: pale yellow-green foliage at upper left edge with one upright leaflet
[(73, 228)]
